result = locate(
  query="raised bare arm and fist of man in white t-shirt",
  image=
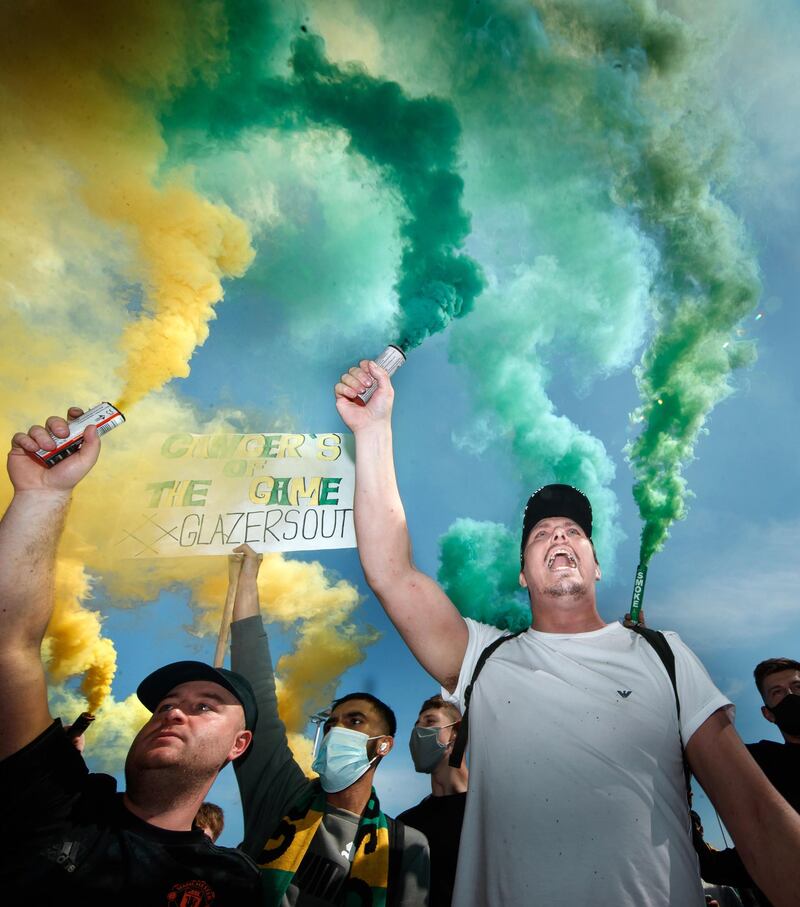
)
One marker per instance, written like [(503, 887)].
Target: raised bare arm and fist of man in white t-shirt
[(425, 617)]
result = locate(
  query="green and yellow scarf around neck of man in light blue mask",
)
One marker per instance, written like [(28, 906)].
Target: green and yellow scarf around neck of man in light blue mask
[(369, 870)]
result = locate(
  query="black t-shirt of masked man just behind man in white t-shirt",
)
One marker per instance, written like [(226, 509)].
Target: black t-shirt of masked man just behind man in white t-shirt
[(440, 820)]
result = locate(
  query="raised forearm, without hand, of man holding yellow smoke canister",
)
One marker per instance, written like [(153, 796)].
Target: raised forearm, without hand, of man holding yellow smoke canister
[(29, 534)]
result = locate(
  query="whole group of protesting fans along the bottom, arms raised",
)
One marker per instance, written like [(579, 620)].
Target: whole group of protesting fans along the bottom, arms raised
[(582, 737)]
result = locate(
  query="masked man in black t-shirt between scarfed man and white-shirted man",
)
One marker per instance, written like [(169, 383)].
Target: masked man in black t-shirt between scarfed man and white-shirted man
[(440, 816)]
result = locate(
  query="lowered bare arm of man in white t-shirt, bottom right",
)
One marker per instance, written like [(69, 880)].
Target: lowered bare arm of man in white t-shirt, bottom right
[(765, 829)]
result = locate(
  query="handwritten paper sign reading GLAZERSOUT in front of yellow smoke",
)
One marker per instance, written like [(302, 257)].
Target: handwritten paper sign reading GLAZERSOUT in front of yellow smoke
[(277, 492)]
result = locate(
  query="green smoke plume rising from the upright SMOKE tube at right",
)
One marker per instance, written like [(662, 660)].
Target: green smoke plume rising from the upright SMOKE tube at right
[(712, 284)]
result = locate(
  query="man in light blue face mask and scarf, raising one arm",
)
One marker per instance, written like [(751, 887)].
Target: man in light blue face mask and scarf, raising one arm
[(322, 842)]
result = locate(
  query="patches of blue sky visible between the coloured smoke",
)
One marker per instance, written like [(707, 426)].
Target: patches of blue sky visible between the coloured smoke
[(726, 581)]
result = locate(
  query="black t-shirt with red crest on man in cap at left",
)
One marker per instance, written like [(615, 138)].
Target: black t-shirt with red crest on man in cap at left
[(67, 838)]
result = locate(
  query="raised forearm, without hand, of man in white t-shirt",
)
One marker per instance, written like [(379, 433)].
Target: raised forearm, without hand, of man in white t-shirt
[(384, 545)]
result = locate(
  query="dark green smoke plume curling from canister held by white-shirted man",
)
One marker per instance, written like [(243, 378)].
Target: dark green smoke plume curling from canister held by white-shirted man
[(413, 142)]
